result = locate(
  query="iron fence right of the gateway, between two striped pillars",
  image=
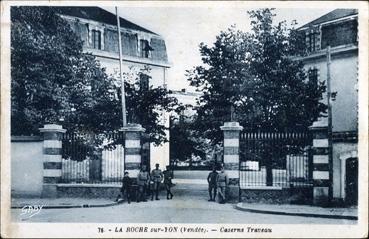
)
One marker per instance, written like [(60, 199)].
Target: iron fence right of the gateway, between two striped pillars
[(280, 159)]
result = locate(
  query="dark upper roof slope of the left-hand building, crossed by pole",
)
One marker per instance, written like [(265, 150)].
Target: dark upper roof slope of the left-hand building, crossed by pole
[(99, 15)]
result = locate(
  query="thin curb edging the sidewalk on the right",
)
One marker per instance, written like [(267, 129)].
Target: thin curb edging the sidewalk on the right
[(238, 207)]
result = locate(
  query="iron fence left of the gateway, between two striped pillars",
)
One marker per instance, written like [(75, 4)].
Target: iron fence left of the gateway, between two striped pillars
[(92, 158)]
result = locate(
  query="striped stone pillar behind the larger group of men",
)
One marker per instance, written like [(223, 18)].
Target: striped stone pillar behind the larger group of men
[(132, 149)]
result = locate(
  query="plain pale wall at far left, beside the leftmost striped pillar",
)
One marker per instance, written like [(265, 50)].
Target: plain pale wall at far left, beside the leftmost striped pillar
[(26, 167)]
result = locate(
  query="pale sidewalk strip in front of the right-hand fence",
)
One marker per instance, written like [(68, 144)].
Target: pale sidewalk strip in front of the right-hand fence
[(300, 210)]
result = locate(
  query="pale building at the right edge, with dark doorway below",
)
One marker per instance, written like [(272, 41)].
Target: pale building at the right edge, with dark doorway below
[(338, 29)]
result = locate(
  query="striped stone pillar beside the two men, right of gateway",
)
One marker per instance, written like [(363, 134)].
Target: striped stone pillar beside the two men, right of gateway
[(231, 157)]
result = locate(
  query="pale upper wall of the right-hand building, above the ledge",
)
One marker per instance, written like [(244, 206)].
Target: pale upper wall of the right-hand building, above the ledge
[(344, 82)]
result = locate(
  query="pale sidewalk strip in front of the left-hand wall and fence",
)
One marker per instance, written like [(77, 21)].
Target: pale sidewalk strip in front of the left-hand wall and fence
[(61, 202)]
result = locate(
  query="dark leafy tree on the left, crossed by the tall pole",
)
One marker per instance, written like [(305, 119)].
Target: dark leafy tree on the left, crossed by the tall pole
[(54, 81)]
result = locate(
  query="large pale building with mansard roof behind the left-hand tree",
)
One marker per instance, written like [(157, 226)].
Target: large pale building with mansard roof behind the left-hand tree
[(141, 48)]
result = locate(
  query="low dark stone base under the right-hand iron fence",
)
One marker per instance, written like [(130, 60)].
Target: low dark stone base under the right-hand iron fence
[(286, 195)]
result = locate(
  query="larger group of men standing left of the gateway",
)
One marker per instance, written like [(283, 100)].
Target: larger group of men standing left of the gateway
[(147, 183)]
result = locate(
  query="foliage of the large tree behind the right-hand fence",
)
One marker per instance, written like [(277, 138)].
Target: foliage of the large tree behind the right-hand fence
[(251, 77)]
